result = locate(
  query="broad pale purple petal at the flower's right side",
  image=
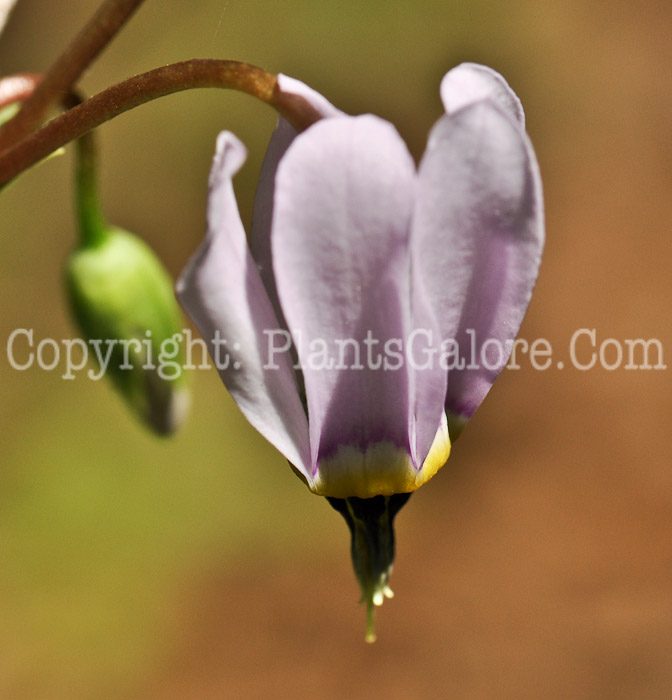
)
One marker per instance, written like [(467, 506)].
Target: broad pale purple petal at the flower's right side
[(479, 233)]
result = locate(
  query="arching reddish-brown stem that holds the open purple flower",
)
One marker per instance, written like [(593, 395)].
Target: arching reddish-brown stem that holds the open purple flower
[(197, 73)]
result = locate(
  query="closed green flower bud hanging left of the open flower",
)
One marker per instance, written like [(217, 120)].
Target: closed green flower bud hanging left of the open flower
[(122, 300)]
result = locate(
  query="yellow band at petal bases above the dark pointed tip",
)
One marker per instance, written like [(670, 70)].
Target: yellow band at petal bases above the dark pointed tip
[(382, 470)]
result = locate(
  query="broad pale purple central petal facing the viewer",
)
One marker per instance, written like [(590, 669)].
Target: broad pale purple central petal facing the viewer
[(343, 202)]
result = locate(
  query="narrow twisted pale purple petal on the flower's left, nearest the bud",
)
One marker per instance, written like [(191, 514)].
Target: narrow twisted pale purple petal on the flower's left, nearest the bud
[(222, 292)]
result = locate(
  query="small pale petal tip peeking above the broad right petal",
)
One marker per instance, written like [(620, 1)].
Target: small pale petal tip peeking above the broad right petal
[(471, 82)]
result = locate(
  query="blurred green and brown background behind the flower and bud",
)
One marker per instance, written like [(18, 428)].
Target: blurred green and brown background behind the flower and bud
[(537, 564)]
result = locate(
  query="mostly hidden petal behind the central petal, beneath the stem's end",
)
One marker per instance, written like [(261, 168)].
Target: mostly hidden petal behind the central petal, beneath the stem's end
[(262, 213)]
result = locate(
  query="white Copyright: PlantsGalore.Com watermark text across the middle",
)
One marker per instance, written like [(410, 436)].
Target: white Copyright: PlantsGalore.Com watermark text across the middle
[(585, 351)]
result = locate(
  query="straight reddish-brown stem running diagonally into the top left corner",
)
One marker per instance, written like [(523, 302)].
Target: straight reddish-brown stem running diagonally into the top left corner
[(91, 40)]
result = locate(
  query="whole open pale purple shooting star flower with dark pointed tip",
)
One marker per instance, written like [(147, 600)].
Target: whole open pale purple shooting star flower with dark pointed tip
[(354, 249)]
